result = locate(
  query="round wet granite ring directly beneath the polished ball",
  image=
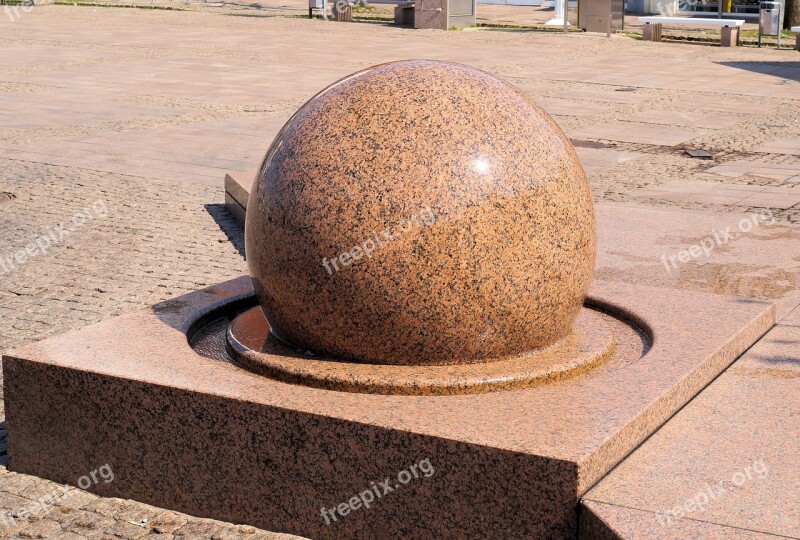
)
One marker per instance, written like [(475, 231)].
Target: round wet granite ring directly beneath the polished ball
[(594, 340)]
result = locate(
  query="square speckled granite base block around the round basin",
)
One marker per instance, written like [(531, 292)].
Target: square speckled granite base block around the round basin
[(208, 438)]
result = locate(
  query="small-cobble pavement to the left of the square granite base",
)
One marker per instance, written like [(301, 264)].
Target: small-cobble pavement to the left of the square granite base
[(156, 240)]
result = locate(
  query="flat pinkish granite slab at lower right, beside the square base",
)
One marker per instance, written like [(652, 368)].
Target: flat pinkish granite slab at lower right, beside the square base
[(730, 457)]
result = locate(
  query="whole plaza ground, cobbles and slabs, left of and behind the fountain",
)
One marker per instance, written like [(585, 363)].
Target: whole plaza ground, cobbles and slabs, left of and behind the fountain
[(130, 118)]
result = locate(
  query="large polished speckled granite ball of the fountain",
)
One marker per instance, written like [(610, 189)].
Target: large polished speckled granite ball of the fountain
[(420, 212)]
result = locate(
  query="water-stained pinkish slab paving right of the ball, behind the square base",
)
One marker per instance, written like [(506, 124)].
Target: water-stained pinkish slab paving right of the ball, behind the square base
[(760, 263)]
